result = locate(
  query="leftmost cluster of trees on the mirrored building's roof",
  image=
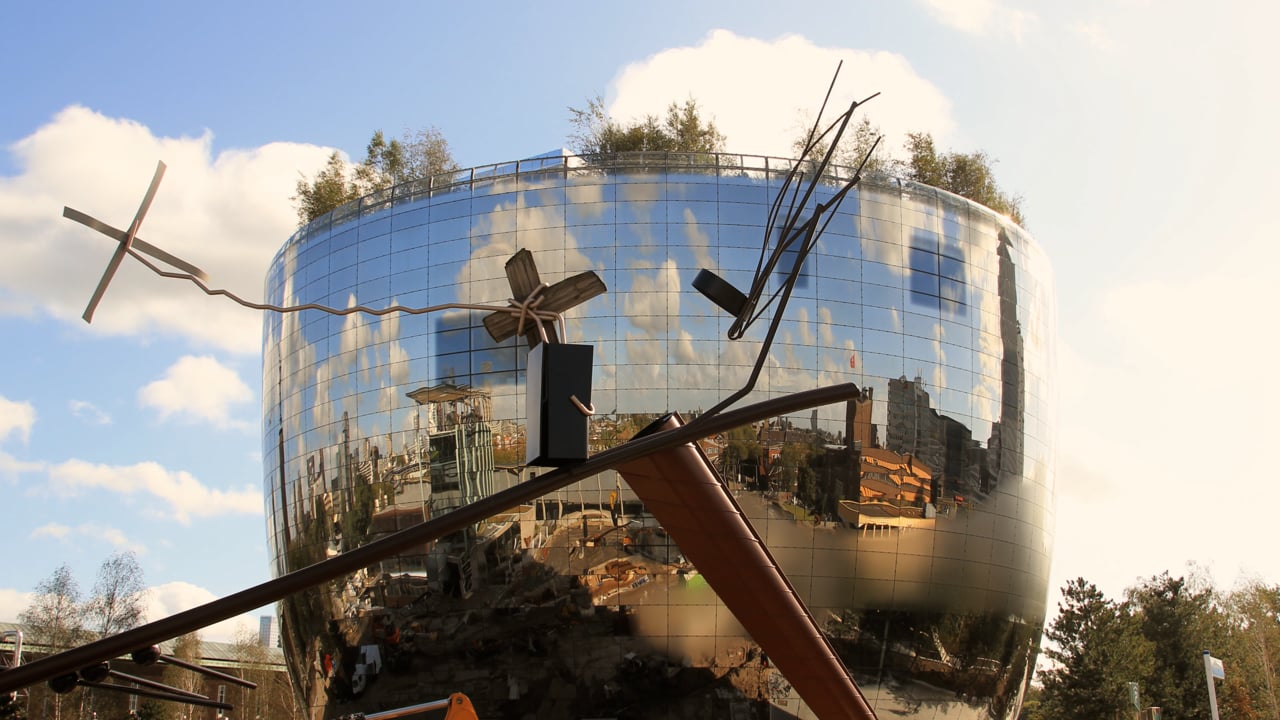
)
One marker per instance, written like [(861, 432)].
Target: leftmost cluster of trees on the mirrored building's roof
[(418, 156)]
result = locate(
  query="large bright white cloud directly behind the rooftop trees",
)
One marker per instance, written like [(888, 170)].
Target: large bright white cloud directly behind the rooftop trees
[(758, 92)]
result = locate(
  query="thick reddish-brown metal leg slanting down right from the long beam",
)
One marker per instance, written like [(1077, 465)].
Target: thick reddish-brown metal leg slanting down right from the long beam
[(684, 493)]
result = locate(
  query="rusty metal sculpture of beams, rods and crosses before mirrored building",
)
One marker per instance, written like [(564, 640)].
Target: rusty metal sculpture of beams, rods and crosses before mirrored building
[(662, 464)]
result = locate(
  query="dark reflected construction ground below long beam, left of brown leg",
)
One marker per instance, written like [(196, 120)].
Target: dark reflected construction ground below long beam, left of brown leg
[(557, 621)]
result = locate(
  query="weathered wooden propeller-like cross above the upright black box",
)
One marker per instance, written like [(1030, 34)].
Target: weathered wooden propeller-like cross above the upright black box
[(527, 288)]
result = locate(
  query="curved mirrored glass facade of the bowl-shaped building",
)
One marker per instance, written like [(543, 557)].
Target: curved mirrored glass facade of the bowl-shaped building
[(916, 521)]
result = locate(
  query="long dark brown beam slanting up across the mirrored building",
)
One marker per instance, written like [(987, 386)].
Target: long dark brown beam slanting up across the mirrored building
[(417, 536)]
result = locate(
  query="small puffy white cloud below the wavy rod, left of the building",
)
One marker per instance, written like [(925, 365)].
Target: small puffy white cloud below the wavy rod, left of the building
[(199, 389)]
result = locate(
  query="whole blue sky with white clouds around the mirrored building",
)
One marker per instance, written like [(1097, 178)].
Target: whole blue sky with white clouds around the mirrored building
[(1140, 134)]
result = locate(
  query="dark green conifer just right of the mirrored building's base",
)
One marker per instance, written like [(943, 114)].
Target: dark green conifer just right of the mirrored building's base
[(1098, 648)]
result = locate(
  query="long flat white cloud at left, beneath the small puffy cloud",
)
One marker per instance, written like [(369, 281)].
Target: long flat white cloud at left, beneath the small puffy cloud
[(185, 496)]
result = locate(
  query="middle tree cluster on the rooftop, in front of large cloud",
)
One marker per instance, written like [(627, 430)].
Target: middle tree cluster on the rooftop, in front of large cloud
[(684, 130)]
